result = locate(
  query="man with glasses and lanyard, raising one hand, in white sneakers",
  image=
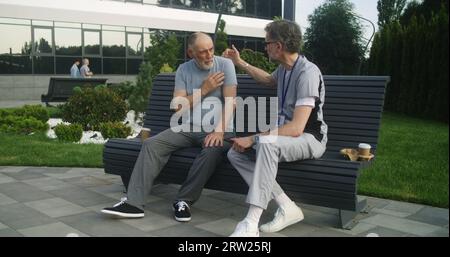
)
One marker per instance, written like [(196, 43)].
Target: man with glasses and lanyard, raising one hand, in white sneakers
[(301, 132)]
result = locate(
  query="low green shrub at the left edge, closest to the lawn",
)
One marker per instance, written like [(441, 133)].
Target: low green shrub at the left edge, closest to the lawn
[(21, 125)]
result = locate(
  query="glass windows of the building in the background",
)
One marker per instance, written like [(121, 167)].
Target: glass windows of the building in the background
[(50, 47)]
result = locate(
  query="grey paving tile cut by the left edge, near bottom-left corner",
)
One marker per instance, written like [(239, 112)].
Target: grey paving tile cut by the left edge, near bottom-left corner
[(18, 216)]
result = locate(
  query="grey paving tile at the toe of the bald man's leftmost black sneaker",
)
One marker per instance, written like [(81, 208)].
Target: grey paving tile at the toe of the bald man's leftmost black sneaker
[(81, 196)]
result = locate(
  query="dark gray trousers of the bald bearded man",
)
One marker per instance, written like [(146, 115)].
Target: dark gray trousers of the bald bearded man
[(155, 153)]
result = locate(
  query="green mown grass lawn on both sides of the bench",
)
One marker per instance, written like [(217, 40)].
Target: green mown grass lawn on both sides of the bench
[(411, 163)]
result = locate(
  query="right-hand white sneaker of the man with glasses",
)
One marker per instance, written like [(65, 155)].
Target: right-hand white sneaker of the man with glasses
[(283, 218)]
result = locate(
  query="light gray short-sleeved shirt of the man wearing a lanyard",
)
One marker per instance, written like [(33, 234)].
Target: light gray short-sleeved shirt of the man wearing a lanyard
[(305, 80)]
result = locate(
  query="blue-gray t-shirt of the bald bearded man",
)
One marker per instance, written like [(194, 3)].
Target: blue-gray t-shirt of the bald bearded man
[(189, 77)]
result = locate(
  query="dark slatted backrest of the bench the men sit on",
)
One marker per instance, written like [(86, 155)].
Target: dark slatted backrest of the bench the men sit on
[(352, 109)]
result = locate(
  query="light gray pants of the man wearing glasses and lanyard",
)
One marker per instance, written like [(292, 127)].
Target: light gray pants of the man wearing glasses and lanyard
[(261, 174)]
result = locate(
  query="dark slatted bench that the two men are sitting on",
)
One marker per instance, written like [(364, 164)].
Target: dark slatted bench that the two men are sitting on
[(352, 110)]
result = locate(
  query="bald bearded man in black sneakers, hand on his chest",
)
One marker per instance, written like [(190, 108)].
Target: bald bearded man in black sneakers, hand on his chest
[(200, 82)]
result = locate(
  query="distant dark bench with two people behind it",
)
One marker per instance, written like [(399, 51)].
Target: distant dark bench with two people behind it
[(60, 89)]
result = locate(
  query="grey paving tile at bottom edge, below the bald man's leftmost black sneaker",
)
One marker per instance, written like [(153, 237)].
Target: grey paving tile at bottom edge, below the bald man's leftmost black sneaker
[(94, 224)]
